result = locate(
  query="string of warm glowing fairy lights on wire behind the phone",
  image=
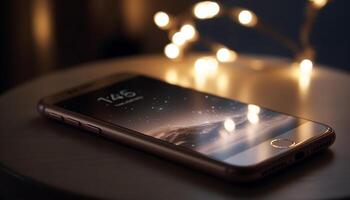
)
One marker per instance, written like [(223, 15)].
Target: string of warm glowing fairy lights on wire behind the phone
[(247, 18)]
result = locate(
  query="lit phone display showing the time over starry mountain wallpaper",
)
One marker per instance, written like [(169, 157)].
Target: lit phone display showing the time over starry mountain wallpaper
[(214, 126)]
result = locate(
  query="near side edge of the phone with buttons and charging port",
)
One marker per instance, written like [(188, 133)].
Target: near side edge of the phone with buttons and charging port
[(190, 158)]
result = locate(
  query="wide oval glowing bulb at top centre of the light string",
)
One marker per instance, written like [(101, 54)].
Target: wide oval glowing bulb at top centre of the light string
[(206, 9)]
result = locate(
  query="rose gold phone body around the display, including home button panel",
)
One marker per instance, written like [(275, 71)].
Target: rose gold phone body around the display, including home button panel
[(255, 163)]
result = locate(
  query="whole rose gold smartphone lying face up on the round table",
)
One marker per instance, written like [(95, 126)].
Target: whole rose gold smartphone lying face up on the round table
[(223, 137)]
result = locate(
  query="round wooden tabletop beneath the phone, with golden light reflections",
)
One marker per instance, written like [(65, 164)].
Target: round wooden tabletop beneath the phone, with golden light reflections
[(52, 154)]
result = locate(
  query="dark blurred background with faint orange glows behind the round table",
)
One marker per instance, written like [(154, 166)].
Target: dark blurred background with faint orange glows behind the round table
[(40, 36)]
